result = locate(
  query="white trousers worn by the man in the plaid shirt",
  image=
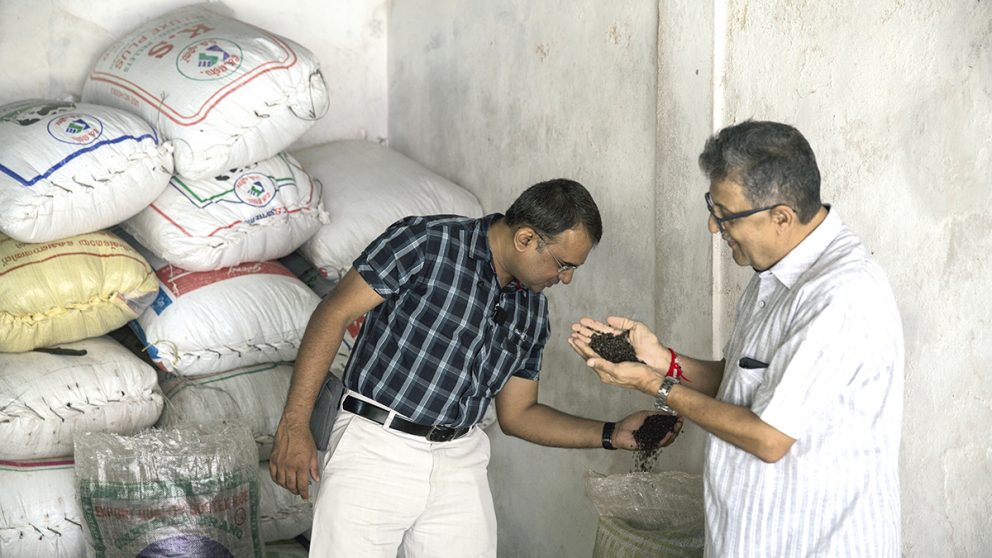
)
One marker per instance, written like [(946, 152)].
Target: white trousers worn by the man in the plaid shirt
[(383, 493)]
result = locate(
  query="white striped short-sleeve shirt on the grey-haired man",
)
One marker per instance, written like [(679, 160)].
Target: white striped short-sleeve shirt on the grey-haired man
[(825, 321)]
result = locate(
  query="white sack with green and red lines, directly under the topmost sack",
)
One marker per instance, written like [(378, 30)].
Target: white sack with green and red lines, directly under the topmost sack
[(260, 212)]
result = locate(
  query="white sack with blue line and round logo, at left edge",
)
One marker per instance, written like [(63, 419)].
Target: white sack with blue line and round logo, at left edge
[(68, 169)]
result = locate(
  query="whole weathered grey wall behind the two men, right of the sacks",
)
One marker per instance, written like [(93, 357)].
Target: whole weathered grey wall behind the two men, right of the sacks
[(896, 99)]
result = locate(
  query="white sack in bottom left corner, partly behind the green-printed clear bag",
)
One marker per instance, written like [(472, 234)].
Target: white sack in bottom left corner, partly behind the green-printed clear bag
[(39, 511)]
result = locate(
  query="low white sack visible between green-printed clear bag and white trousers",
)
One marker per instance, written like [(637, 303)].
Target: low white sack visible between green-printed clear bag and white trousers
[(282, 515)]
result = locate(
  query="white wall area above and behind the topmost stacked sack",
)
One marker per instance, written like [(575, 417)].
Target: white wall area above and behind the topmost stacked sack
[(47, 48)]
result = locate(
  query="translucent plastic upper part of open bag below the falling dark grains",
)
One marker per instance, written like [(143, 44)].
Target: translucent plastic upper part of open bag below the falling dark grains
[(666, 500)]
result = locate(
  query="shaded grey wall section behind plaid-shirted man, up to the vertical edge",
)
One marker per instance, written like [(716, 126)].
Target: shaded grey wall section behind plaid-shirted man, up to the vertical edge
[(498, 96)]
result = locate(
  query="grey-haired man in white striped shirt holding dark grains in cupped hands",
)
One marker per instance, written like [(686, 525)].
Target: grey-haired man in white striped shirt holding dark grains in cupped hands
[(804, 411)]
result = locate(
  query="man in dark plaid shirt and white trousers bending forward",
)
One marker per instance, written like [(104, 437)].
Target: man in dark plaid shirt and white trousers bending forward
[(456, 318)]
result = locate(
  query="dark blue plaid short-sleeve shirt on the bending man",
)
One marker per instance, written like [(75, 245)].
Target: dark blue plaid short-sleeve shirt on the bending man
[(447, 337)]
